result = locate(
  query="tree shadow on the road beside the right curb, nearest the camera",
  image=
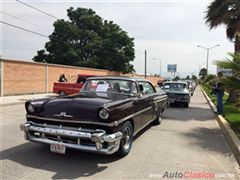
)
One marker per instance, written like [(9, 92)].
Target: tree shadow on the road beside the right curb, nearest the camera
[(210, 139)]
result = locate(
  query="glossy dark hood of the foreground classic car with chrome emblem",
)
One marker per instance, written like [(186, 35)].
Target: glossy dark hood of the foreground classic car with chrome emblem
[(75, 107)]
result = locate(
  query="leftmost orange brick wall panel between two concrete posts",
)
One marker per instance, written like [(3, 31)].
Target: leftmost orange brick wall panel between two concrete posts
[(21, 77)]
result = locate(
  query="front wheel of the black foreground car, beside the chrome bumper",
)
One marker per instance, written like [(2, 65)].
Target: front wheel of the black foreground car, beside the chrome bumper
[(127, 139)]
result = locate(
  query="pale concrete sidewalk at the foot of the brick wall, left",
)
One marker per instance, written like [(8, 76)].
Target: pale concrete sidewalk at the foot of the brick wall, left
[(19, 99)]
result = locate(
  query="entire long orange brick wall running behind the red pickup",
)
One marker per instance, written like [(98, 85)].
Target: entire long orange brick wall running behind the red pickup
[(20, 77)]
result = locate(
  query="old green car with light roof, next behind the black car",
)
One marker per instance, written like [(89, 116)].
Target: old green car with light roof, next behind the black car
[(177, 93)]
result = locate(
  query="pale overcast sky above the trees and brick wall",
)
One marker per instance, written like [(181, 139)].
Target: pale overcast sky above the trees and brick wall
[(169, 30)]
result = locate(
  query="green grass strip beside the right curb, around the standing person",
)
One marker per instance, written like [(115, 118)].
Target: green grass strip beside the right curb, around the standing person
[(231, 112)]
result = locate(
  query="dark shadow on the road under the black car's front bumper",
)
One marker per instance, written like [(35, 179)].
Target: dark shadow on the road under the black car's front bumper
[(73, 164)]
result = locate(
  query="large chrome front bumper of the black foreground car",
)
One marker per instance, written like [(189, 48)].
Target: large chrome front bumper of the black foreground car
[(100, 141)]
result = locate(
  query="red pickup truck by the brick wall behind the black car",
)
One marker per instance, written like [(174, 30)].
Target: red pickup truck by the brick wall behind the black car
[(66, 88)]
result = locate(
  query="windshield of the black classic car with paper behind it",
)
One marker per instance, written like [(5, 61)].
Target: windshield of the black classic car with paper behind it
[(110, 86)]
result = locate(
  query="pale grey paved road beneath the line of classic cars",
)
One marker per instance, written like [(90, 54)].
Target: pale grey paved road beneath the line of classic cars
[(188, 140)]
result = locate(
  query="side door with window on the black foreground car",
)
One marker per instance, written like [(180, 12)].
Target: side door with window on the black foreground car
[(146, 102)]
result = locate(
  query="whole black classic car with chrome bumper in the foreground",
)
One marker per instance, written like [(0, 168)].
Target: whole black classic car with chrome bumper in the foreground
[(102, 118)]
